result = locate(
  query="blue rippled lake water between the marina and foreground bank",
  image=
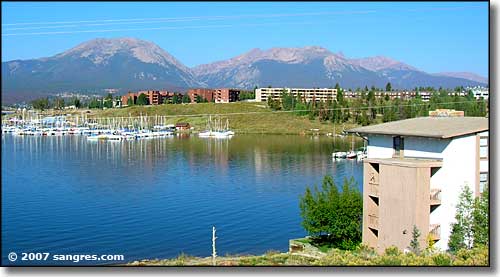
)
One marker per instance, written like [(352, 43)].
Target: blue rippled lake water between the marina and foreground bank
[(159, 198)]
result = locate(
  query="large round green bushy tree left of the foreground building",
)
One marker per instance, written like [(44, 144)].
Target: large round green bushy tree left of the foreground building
[(336, 214)]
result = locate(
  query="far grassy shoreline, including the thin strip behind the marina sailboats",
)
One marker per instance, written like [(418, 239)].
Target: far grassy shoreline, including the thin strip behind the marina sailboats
[(243, 117)]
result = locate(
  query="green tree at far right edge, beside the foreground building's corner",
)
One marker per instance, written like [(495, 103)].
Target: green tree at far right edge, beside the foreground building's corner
[(480, 227)]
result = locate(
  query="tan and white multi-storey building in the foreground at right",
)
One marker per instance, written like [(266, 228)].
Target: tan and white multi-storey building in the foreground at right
[(413, 175)]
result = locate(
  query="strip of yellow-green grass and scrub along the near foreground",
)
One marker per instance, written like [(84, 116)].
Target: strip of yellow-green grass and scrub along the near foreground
[(363, 257)]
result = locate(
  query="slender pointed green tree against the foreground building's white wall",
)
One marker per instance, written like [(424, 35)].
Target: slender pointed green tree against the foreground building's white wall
[(461, 236)]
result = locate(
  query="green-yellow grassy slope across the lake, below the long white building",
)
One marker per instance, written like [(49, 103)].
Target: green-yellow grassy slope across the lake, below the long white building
[(269, 123)]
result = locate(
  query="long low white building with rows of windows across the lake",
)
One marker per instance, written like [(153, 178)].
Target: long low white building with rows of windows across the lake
[(308, 94)]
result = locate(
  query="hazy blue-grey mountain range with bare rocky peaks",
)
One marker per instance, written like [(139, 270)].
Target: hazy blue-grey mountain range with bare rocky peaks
[(133, 64)]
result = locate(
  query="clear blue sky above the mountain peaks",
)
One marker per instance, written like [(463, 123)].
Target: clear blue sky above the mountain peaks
[(431, 36)]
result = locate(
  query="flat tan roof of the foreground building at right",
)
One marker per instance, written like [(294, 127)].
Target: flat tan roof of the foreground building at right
[(432, 127)]
